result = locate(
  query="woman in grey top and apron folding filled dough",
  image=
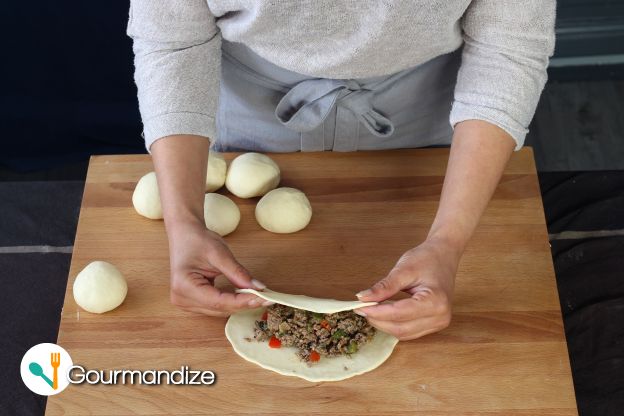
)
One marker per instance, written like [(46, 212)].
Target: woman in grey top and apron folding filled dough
[(337, 75)]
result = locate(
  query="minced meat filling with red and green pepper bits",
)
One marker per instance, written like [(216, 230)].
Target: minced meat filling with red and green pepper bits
[(315, 335)]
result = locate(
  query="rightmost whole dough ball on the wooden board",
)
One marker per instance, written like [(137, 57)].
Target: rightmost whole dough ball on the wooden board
[(284, 210)]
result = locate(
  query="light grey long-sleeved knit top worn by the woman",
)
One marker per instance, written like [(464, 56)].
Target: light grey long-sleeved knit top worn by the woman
[(177, 46)]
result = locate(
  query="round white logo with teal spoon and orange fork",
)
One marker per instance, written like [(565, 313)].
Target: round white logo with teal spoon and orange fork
[(44, 369)]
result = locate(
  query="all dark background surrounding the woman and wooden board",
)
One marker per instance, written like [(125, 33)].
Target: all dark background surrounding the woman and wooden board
[(66, 92)]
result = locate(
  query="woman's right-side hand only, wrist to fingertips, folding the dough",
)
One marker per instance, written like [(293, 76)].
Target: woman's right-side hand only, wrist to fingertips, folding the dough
[(427, 272)]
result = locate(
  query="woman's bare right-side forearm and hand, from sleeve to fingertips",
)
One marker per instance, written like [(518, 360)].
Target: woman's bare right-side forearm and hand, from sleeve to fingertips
[(479, 153)]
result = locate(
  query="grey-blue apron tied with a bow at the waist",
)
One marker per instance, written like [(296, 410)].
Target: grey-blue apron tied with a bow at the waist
[(266, 108)]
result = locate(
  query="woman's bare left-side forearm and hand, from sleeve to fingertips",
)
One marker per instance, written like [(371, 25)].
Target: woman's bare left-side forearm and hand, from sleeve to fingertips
[(197, 255)]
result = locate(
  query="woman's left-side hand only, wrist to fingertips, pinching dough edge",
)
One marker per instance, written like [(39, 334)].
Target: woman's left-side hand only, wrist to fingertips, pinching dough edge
[(198, 256)]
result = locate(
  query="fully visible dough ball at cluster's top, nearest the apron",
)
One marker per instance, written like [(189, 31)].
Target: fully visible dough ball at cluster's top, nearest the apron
[(252, 174)]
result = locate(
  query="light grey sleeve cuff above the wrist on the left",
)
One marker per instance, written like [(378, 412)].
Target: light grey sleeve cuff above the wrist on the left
[(169, 124)]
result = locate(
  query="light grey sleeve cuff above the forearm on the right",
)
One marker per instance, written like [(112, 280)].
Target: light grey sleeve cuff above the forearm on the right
[(462, 112)]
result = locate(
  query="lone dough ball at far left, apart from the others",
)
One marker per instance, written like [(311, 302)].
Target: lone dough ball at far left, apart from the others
[(99, 287)]
